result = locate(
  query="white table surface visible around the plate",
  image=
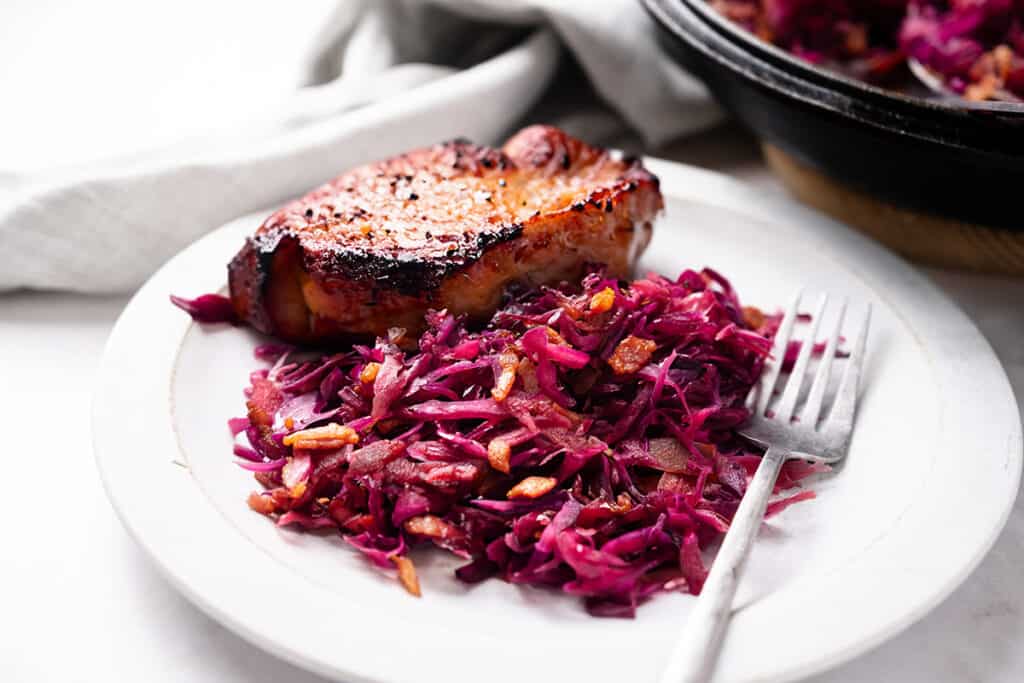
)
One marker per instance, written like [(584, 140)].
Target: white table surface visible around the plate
[(80, 603)]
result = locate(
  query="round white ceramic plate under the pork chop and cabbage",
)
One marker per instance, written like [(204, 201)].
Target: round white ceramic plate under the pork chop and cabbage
[(929, 483)]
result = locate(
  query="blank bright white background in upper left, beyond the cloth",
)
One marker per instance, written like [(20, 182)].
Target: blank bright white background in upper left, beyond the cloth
[(83, 81)]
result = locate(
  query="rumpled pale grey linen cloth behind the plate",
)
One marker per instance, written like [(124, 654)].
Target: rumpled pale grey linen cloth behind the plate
[(379, 77)]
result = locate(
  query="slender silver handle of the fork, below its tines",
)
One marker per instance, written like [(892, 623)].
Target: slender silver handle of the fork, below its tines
[(694, 659)]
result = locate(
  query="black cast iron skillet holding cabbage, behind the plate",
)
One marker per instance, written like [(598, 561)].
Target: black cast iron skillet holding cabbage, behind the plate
[(940, 157)]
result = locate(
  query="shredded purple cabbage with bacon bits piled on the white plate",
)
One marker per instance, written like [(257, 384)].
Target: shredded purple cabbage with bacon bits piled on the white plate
[(582, 441)]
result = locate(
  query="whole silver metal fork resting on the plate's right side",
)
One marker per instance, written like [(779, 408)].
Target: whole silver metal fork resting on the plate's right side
[(694, 659)]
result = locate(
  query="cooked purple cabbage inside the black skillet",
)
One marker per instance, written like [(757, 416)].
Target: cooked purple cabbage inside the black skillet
[(975, 46)]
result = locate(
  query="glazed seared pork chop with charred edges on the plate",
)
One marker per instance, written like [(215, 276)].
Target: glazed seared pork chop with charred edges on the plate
[(449, 227)]
